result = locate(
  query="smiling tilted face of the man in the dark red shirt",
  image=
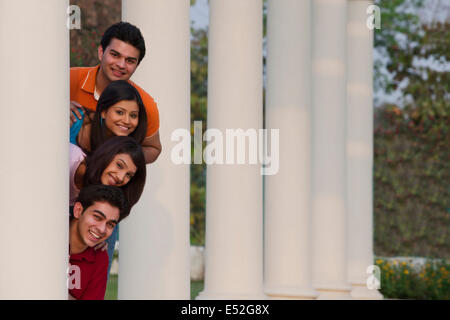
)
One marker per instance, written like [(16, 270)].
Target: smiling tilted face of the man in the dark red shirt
[(96, 223)]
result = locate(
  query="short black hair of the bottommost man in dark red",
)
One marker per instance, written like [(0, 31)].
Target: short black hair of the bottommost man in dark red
[(102, 193)]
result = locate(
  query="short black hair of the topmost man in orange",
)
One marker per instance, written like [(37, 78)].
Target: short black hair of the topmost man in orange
[(125, 32)]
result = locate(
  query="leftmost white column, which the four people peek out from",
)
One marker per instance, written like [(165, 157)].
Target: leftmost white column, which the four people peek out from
[(34, 184)]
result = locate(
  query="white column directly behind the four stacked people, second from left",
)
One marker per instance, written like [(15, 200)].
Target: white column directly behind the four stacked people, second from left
[(154, 260)]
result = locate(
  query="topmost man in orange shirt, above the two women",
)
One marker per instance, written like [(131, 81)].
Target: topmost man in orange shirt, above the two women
[(122, 49)]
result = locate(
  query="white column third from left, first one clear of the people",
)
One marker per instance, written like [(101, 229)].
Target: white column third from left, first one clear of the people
[(234, 230)]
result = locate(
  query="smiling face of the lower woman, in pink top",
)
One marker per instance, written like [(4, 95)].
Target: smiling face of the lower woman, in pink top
[(120, 171)]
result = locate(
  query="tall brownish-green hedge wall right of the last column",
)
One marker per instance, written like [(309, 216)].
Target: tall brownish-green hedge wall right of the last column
[(411, 191)]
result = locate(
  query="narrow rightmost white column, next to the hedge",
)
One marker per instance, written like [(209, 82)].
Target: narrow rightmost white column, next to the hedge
[(360, 149)]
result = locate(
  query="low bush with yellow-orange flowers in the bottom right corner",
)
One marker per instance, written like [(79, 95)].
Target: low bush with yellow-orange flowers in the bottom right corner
[(402, 280)]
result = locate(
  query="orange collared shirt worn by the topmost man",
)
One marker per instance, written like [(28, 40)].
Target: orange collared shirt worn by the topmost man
[(82, 86)]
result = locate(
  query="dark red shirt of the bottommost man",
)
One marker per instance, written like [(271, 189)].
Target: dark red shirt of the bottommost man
[(92, 271)]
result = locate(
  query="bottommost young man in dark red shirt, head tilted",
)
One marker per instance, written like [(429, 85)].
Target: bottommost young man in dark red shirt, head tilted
[(98, 210)]
